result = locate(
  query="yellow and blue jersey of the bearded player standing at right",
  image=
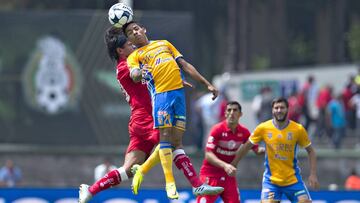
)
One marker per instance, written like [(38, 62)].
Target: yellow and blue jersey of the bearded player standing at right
[(281, 167)]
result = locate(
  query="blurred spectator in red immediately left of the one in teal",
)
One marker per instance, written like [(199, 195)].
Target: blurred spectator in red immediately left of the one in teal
[(323, 99)]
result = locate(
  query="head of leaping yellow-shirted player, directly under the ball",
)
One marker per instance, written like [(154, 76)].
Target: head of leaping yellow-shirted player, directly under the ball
[(136, 33)]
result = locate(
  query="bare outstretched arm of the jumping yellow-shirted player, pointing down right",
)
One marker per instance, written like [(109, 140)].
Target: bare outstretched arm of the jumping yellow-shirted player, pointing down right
[(194, 74)]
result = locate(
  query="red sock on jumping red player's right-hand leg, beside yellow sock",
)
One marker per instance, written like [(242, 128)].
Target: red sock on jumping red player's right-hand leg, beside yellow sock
[(183, 163)]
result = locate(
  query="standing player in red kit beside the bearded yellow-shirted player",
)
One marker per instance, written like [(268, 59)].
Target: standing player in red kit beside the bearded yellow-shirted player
[(224, 140)]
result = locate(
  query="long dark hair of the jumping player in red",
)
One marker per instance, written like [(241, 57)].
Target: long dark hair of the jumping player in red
[(114, 38)]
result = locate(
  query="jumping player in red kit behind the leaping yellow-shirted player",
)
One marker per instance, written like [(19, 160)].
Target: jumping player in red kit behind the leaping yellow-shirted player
[(143, 137)]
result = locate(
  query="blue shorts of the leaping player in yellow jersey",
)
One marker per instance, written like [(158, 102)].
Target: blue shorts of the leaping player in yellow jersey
[(169, 109)]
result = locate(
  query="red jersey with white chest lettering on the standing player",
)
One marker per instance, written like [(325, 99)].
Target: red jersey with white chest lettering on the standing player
[(224, 144)]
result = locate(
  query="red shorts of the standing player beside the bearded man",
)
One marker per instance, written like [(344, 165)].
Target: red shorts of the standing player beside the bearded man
[(230, 194)]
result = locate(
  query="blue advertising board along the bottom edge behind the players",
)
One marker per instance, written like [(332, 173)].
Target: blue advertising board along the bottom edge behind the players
[(33, 195)]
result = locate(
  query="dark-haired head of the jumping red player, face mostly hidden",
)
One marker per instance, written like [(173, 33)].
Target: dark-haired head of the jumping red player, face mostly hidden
[(117, 44)]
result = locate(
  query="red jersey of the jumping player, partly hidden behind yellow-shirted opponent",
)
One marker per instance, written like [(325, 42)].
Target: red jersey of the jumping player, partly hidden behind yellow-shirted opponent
[(136, 94)]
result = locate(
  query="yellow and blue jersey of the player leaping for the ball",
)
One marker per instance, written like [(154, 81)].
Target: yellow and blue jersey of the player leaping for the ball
[(164, 74)]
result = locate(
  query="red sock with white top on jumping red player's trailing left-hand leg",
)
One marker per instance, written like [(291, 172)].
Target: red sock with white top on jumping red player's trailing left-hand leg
[(112, 178)]
